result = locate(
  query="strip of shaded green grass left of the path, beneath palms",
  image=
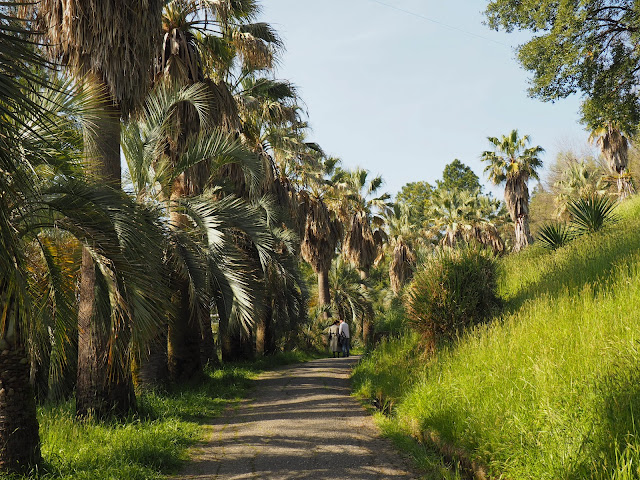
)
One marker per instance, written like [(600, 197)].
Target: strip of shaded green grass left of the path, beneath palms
[(154, 442)]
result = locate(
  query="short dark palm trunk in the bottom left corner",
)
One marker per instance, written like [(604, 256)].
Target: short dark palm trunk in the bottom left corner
[(20, 445)]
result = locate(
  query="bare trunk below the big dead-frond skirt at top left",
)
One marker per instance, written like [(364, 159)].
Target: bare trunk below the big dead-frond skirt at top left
[(99, 391)]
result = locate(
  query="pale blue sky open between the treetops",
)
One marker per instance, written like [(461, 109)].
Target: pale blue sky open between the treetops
[(390, 88)]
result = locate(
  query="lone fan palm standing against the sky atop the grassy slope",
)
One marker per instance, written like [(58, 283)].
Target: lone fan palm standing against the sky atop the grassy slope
[(512, 163)]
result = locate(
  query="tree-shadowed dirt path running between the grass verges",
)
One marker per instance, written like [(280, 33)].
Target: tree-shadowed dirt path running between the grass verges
[(302, 424)]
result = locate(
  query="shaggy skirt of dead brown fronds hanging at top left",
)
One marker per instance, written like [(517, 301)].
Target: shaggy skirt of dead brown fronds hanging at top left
[(115, 39)]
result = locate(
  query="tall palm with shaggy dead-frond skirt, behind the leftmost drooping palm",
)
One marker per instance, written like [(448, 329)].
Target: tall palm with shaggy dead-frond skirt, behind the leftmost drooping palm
[(113, 48)]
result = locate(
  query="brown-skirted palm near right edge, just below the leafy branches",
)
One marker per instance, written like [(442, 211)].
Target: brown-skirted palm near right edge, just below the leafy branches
[(614, 146)]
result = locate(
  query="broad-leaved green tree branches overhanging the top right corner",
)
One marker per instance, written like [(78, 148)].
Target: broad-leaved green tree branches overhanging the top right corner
[(584, 47)]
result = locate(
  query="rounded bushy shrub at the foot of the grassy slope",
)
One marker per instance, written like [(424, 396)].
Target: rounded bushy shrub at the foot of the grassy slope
[(456, 289)]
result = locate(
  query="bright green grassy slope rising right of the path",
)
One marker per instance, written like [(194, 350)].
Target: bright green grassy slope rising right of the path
[(549, 390)]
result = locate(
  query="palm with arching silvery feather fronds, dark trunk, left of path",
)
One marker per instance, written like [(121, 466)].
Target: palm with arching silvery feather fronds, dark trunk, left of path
[(199, 270)]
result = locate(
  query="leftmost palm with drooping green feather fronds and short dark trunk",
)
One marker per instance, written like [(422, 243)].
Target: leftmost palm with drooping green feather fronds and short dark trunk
[(40, 159)]
